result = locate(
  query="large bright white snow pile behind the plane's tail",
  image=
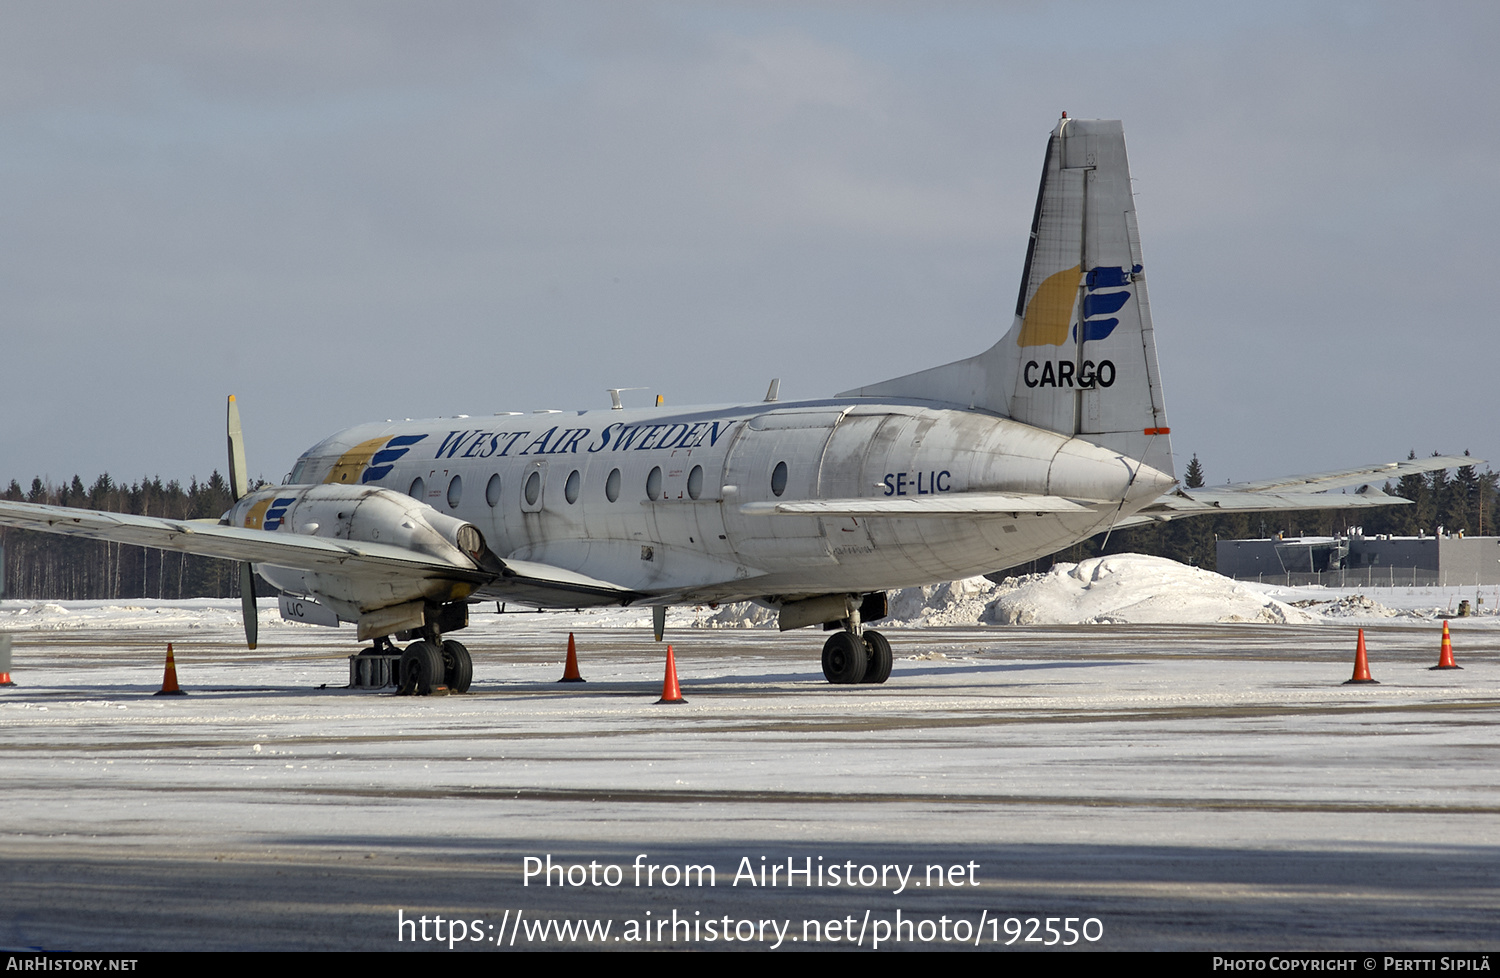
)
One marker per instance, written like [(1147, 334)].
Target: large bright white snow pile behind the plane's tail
[(1135, 589)]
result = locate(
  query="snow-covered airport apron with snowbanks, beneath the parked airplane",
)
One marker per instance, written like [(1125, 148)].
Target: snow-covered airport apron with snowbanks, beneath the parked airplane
[(1187, 784)]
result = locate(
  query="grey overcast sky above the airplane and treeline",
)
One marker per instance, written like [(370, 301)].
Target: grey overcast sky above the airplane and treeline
[(349, 212)]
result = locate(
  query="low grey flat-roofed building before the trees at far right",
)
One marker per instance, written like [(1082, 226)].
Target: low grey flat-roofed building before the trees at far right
[(1358, 560)]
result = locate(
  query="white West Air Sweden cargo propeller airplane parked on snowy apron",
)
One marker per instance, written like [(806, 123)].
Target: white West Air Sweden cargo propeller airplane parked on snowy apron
[(1054, 434)]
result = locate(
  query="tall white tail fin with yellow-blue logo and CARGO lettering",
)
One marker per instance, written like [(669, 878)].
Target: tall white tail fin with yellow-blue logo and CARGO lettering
[(1081, 356)]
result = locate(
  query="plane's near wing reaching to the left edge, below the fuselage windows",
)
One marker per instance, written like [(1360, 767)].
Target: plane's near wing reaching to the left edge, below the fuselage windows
[(524, 581)]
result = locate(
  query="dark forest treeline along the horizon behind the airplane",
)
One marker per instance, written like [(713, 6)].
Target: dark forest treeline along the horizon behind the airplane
[(50, 566)]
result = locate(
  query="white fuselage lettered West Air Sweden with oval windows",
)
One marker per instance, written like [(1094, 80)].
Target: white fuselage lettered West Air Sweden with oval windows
[(652, 499)]
